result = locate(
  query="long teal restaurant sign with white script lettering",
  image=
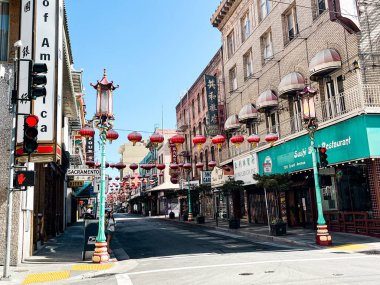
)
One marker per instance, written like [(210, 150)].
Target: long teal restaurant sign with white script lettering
[(352, 139)]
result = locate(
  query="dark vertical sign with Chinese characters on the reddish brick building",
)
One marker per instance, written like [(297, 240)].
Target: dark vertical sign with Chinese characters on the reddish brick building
[(212, 104)]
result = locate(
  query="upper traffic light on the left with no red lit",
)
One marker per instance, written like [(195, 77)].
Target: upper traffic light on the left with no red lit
[(38, 80)]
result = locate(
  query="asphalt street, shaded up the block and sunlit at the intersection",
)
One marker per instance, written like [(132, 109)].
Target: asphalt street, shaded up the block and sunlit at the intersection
[(162, 252)]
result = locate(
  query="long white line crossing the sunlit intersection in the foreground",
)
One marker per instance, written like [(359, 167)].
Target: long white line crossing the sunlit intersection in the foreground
[(247, 263)]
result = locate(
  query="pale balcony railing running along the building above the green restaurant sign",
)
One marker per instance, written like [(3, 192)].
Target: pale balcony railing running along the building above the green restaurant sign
[(340, 107)]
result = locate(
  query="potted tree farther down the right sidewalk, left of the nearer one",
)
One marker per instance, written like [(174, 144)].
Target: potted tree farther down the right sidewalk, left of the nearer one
[(232, 189)]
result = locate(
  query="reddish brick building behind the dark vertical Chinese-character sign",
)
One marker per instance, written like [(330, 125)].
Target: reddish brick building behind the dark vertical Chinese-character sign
[(192, 119)]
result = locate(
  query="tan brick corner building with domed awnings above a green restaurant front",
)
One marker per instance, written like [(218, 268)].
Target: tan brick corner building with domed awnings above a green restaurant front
[(274, 49)]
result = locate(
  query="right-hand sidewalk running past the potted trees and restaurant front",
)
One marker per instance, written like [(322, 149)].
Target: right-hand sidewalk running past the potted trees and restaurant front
[(295, 236)]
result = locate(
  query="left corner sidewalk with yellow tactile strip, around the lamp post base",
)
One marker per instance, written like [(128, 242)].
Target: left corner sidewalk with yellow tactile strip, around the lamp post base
[(61, 259)]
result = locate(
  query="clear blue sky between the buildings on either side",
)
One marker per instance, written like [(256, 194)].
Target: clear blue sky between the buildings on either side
[(154, 49)]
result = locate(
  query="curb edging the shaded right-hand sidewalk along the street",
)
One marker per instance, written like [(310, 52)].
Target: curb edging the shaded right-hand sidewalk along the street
[(248, 234)]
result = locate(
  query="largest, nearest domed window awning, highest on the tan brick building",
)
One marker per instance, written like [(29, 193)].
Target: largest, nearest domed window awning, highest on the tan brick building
[(325, 62)]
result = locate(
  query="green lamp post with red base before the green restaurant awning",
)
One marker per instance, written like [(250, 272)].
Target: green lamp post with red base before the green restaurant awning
[(310, 123)]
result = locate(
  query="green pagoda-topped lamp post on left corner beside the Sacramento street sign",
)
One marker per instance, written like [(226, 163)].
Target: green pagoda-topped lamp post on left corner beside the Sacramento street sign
[(103, 121)]
